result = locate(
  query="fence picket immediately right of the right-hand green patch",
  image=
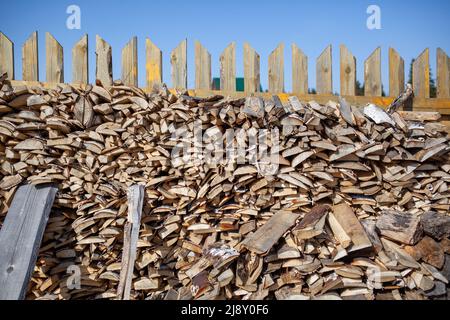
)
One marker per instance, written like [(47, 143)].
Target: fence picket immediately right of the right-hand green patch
[(252, 77)]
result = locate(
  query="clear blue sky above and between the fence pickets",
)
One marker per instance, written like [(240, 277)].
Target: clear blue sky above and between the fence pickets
[(407, 25)]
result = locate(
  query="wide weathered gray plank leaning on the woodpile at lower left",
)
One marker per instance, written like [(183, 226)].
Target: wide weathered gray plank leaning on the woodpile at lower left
[(21, 236)]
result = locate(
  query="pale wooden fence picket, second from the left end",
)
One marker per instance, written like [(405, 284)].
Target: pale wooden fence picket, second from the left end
[(30, 61)]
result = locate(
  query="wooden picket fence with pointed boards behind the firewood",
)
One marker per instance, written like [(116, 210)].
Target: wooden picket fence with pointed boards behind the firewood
[(203, 80)]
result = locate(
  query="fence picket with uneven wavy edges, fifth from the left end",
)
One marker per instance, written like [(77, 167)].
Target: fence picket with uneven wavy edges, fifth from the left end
[(103, 52)]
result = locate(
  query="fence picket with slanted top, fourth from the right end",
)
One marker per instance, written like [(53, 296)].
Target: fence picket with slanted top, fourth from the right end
[(372, 74)]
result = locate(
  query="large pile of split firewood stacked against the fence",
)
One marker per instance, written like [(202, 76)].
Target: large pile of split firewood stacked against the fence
[(346, 202)]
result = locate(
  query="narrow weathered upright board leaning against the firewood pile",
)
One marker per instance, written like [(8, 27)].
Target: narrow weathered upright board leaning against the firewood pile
[(135, 203)]
